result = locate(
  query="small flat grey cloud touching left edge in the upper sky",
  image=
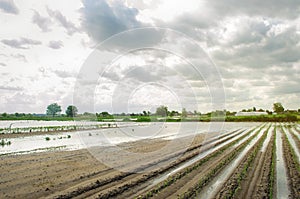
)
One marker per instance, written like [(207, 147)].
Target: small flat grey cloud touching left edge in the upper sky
[(22, 43)]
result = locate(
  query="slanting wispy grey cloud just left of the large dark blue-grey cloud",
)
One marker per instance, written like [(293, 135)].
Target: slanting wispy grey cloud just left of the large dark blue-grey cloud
[(63, 21)]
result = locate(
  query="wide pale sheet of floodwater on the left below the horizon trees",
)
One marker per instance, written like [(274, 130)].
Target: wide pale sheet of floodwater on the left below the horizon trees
[(125, 132)]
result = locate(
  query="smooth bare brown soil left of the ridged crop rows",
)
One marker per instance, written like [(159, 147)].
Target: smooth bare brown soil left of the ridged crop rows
[(57, 172)]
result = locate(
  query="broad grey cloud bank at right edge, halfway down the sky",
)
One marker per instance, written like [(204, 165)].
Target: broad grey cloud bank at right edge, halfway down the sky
[(264, 52)]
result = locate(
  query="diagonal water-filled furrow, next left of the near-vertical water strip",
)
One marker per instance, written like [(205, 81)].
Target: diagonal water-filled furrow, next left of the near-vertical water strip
[(216, 184)]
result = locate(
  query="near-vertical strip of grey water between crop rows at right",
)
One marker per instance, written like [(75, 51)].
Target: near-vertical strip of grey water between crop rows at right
[(281, 182)]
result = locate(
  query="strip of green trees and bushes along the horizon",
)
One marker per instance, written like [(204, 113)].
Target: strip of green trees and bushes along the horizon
[(54, 110)]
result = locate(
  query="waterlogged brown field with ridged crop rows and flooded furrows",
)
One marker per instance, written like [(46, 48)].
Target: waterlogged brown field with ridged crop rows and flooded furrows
[(156, 160)]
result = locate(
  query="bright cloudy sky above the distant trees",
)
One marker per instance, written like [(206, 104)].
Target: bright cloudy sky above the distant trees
[(135, 55)]
